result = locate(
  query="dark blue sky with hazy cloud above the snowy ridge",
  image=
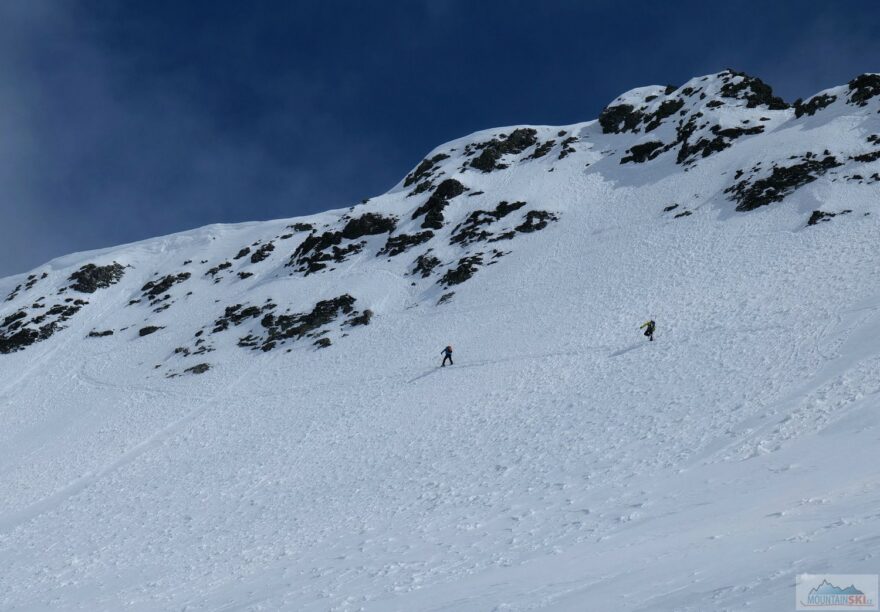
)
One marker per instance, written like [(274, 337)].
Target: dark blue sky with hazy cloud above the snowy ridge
[(125, 120)]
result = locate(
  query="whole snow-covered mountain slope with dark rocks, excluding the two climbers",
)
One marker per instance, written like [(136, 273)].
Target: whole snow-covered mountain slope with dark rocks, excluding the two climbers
[(252, 416)]
